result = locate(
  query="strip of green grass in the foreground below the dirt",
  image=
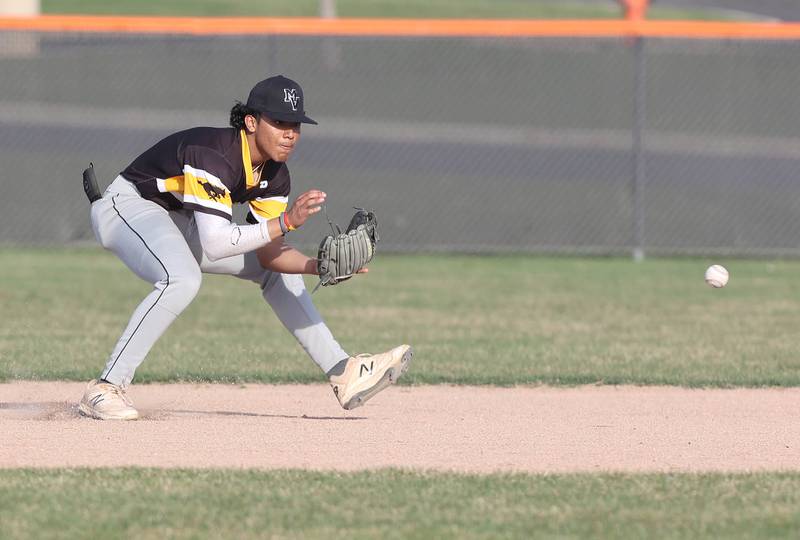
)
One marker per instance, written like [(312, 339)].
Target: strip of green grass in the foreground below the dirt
[(143, 504)]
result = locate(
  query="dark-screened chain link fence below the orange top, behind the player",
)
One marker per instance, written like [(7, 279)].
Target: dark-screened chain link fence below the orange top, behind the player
[(597, 146)]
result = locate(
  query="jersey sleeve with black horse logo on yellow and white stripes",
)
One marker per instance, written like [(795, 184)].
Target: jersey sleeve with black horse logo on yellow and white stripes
[(208, 181)]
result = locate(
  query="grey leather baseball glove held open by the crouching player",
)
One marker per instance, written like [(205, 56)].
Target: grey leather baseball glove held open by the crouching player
[(342, 254)]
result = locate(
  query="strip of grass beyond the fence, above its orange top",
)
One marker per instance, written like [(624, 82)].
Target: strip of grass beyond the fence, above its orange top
[(514, 9)]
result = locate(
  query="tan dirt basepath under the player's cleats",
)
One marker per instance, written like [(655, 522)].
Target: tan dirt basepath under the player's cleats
[(473, 429)]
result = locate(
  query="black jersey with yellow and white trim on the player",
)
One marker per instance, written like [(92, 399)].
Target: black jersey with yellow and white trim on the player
[(207, 170)]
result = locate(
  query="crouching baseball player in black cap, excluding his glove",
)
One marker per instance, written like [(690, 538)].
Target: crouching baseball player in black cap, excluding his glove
[(168, 217)]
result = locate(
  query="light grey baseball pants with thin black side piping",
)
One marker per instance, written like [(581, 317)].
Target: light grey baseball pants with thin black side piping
[(163, 248)]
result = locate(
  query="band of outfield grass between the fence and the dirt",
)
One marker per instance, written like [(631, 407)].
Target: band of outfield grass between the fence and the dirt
[(472, 320)]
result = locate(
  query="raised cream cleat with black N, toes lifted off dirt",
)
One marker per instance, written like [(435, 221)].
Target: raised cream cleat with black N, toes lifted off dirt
[(367, 374)]
